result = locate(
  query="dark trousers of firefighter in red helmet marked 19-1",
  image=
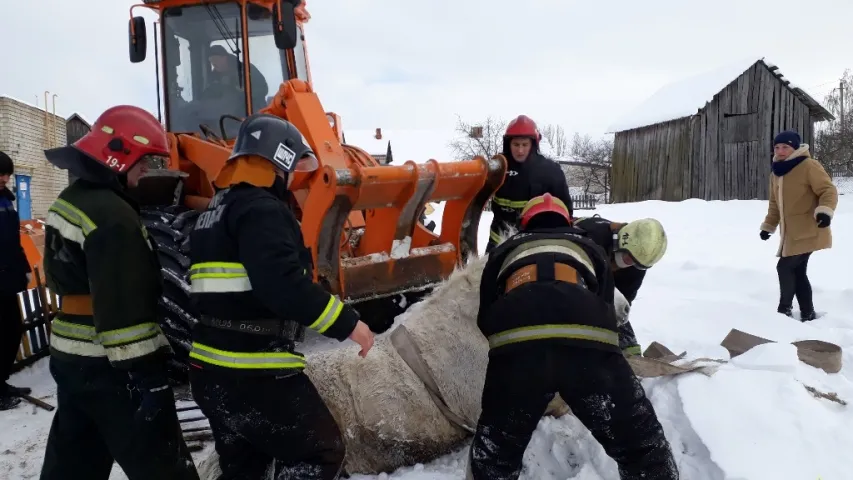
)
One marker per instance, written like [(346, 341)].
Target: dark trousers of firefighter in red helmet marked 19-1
[(94, 425)]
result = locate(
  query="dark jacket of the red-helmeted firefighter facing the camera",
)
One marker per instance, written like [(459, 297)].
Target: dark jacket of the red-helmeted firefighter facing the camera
[(535, 176)]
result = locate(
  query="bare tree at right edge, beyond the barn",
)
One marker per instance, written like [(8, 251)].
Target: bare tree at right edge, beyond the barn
[(834, 139)]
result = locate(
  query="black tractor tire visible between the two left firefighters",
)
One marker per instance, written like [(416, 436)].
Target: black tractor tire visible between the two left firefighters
[(170, 228)]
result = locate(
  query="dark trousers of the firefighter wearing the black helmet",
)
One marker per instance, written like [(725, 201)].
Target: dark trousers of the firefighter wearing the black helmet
[(259, 421)]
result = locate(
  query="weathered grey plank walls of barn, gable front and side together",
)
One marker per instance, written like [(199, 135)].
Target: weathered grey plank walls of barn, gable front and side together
[(722, 153)]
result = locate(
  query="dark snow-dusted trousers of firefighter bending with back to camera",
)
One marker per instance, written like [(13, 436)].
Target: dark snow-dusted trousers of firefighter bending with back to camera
[(520, 384)]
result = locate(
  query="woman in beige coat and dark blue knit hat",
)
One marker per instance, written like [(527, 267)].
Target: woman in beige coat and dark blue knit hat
[(802, 203)]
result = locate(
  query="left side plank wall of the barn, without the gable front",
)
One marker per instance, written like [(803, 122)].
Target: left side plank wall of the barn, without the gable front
[(648, 163)]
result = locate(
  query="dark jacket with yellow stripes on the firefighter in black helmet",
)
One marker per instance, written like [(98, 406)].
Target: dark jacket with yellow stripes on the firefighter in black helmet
[(251, 275)]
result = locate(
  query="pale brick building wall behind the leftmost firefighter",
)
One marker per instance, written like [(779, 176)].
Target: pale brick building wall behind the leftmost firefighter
[(24, 137)]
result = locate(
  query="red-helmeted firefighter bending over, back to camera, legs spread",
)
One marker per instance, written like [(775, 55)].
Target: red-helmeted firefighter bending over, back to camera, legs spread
[(547, 310)]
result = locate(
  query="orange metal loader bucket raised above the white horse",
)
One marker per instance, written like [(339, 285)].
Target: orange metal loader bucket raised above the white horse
[(394, 253)]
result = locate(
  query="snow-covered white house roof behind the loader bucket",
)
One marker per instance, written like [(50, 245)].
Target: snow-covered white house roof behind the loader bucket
[(417, 145)]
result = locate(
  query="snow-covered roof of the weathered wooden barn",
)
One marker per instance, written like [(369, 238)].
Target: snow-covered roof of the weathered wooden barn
[(685, 98)]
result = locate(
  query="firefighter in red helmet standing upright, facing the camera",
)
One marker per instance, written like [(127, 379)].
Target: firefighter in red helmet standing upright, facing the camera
[(529, 174)]
